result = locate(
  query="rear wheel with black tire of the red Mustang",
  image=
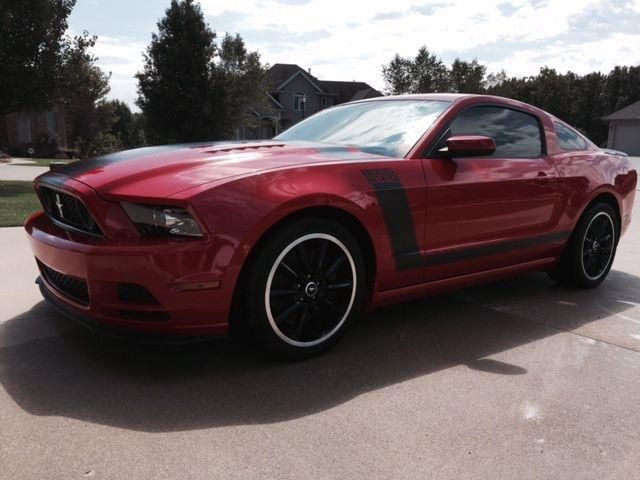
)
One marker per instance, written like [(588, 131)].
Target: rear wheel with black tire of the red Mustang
[(591, 249)]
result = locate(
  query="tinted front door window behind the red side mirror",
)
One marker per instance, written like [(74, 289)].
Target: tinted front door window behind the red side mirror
[(517, 134)]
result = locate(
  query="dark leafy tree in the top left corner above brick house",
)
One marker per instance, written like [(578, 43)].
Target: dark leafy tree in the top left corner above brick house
[(32, 52)]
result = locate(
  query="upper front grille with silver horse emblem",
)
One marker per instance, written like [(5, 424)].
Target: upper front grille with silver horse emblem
[(68, 211)]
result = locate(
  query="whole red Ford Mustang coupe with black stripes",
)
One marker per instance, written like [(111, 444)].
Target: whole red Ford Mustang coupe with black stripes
[(358, 206)]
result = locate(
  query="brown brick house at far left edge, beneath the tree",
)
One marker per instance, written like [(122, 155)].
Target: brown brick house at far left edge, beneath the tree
[(45, 133)]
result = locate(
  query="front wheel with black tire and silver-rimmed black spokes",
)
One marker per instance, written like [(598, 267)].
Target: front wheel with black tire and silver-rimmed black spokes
[(305, 287)]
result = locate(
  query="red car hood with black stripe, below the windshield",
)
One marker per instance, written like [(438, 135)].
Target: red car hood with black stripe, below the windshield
[(159, 172)]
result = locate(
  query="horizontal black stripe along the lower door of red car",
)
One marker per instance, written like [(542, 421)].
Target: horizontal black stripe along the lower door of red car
[(496, 248)]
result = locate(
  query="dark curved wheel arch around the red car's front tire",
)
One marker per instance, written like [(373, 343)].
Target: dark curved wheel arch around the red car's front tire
[(339, 215)]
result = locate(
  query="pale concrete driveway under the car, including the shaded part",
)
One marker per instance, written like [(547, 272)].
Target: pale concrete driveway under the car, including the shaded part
[(517, 379)]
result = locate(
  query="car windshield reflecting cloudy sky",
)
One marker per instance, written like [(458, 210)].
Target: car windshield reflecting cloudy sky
[(389, 127)]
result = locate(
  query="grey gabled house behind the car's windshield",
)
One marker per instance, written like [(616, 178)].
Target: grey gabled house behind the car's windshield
[(296, 94)]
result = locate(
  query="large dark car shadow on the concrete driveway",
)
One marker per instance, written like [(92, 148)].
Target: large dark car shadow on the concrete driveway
[(146, 388)]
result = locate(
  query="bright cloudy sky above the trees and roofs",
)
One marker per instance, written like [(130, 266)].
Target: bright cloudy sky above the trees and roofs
[(351, 40)]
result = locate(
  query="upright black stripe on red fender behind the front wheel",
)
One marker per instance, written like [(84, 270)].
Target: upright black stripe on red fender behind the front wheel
[(396, 212)]
